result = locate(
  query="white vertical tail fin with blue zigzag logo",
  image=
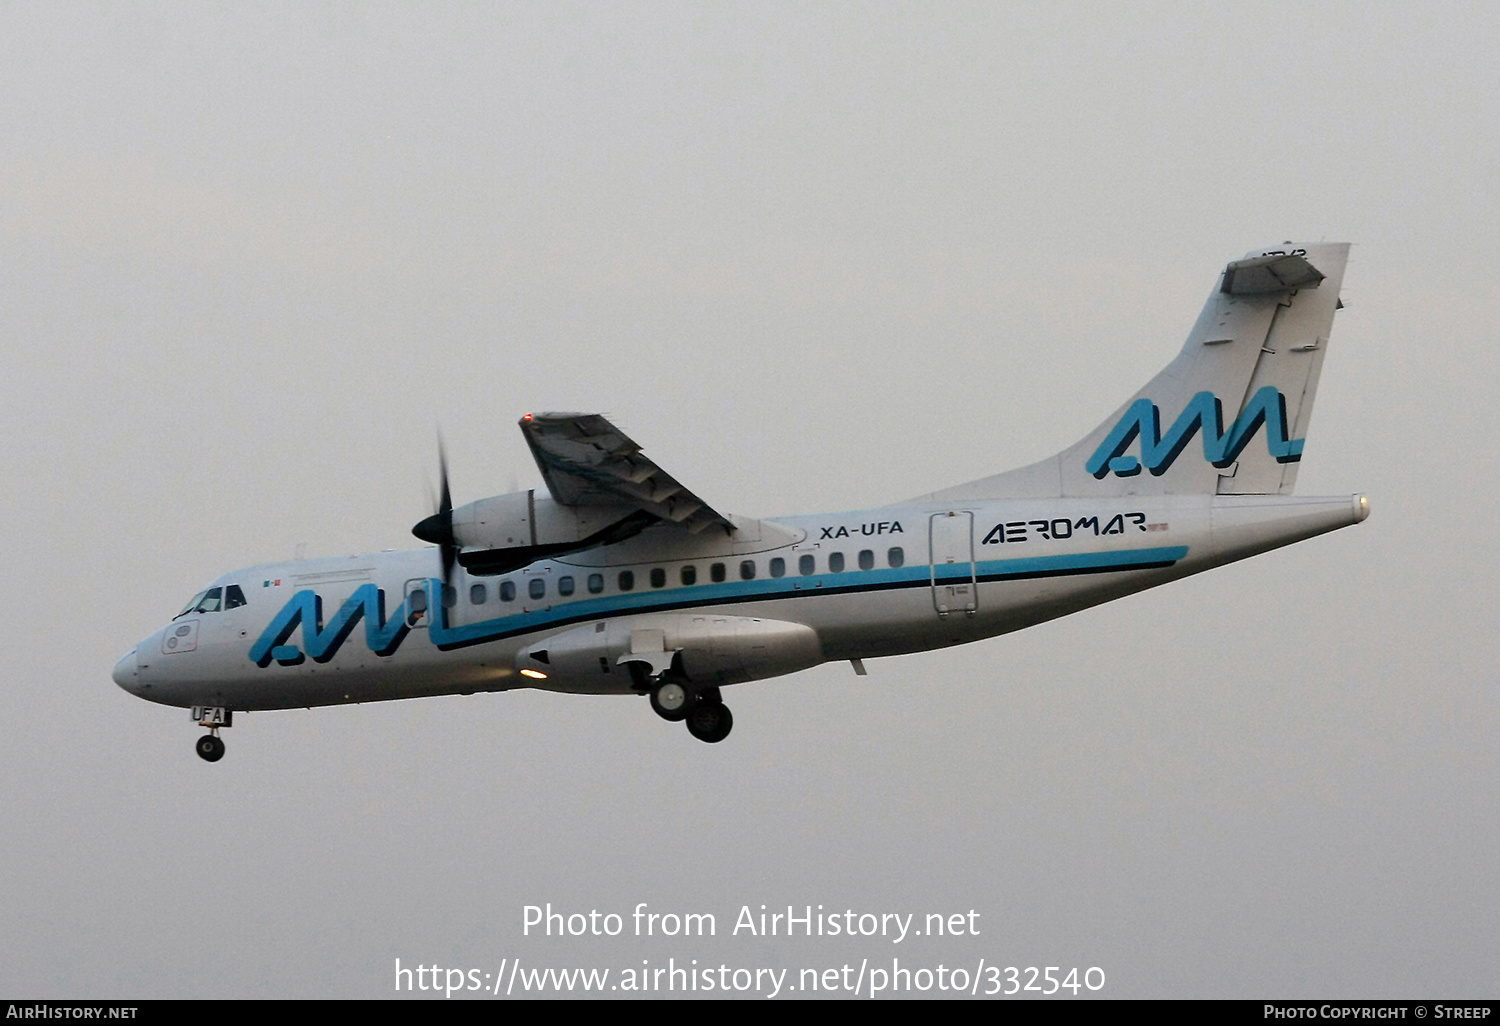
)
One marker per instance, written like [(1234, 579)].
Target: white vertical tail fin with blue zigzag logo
[(1231, 413)]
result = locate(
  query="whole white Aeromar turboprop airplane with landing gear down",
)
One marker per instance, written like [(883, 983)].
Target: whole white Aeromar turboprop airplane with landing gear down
[(617, 580)]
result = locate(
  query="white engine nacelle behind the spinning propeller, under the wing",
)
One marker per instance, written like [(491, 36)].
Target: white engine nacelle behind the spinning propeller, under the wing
[(506, 532)]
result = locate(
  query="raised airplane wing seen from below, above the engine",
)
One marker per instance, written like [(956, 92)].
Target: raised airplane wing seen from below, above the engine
[(587, 461)]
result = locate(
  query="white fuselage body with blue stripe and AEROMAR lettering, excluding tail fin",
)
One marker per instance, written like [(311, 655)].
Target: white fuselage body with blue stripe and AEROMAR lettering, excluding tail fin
[(767, 599)]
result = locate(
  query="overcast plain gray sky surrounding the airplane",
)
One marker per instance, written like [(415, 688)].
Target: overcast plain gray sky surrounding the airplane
[(814, 257)]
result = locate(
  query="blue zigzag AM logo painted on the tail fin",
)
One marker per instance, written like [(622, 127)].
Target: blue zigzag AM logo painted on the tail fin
[(1204, 413)]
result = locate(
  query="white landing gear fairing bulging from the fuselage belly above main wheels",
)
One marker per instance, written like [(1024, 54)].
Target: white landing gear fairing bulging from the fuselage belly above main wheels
[(709, 650)]
